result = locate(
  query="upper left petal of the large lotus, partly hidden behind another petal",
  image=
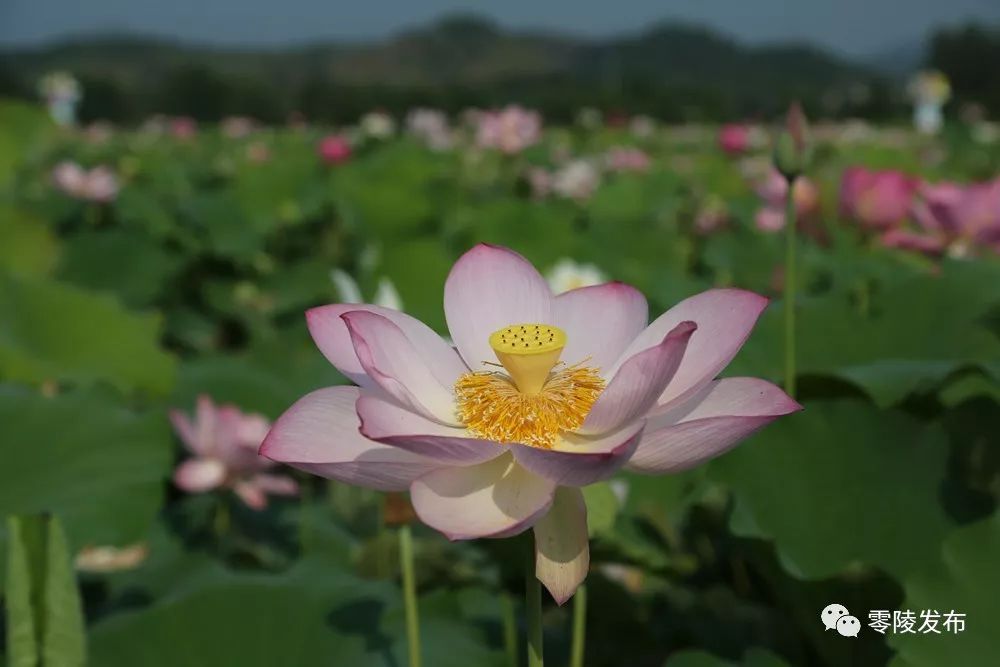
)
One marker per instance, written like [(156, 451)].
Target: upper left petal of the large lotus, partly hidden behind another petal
[(334, 341)]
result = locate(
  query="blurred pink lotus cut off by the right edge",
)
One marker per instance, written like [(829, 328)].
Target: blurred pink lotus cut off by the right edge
[(952, 218)]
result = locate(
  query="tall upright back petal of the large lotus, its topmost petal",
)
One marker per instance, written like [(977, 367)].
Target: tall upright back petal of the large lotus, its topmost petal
[(490, 288)]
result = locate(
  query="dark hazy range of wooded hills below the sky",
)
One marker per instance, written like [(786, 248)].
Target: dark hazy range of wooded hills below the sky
[(459, 60)]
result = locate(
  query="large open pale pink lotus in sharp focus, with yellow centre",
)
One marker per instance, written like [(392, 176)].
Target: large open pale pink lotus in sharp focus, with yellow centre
[(491, 449)]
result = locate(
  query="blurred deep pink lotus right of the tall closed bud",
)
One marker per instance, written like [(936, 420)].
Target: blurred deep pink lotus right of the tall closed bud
[(878, 200)]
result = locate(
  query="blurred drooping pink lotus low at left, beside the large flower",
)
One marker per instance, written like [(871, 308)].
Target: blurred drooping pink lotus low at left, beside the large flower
[(224, 442)]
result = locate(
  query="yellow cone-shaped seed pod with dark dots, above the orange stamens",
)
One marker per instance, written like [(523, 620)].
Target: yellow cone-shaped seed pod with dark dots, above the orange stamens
[(528, 352)]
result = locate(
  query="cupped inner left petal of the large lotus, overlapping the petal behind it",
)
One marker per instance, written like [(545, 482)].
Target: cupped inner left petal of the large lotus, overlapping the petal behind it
[(396, 366)]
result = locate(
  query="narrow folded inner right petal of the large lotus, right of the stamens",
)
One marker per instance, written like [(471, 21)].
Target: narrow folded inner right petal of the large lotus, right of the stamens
[(639, 382)]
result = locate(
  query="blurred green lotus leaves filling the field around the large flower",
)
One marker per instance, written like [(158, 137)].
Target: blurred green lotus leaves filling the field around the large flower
[(881, 494)]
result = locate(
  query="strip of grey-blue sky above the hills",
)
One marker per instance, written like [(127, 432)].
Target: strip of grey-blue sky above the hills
[(854, 27)]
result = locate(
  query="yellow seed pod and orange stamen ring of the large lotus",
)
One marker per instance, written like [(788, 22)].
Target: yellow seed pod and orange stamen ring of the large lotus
[(536, 402)]
